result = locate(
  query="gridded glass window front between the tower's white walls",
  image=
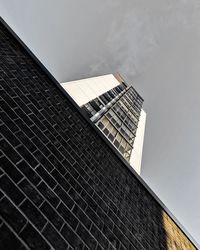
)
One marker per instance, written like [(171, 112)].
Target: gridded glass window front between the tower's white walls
[(116, 113)]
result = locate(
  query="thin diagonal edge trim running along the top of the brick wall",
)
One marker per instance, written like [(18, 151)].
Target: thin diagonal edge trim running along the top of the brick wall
[(51, 77)]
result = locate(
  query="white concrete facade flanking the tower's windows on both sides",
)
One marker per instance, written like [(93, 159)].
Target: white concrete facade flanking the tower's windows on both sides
[(85, 90)]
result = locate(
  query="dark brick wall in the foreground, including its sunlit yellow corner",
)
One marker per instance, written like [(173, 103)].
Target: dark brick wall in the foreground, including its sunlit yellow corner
[(62, 186)]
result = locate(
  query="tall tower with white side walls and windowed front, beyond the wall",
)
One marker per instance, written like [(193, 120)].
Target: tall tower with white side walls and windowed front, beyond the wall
[(116, 109)]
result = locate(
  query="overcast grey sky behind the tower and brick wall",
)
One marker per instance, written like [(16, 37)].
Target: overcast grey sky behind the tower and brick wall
[(155, 45)]
